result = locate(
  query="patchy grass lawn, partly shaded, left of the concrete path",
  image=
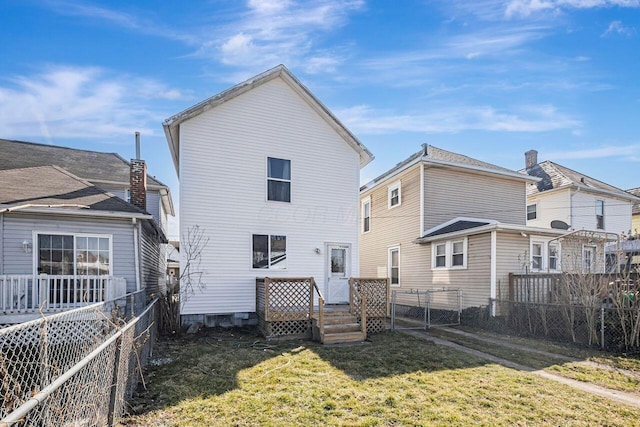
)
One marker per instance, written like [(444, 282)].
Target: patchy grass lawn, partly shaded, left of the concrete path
[(394, 380)]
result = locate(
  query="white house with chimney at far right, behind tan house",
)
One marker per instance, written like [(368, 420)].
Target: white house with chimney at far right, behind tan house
[(564, 198)]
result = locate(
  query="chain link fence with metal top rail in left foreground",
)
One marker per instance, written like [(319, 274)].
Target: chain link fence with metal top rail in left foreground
[(77, 367)]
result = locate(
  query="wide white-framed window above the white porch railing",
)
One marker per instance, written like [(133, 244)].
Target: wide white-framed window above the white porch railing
[(60, 254)]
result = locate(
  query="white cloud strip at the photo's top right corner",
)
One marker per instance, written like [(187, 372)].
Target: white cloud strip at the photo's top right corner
[(529, 7)]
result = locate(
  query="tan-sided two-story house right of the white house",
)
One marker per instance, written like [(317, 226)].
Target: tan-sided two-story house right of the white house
[(443, 220)]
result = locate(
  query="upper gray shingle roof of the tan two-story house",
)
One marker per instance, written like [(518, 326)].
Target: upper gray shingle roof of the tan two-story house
[(435, 156)]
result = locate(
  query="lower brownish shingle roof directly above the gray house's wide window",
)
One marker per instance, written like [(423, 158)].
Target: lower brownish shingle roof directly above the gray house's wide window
[(51, 187)]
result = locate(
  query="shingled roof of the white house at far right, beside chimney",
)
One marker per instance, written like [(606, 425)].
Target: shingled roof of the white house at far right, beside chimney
[(553, 176)]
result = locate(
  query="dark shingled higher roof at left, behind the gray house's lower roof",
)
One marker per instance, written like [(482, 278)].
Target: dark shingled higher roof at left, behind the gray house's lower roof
[(94, 166)]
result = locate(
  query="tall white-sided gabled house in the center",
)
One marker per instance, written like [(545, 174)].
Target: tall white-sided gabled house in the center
[(271, 176)]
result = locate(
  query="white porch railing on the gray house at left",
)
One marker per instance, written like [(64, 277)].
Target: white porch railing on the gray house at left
[(29, 293)]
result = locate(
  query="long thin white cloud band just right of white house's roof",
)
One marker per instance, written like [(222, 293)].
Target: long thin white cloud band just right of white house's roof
[(531, 118)]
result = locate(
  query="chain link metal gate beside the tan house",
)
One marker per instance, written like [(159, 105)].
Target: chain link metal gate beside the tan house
[(424, 309)]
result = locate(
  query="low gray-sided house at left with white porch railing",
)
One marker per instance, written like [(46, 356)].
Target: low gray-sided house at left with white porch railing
[(65, 242)]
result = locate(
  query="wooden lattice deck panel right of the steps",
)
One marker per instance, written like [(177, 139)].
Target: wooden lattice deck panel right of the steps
[(373, 294)]
